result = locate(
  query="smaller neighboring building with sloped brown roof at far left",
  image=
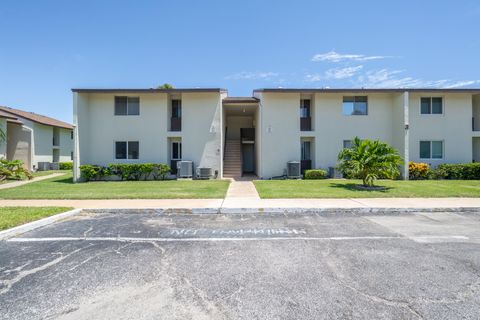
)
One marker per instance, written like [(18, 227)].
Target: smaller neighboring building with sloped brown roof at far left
[(34, 138)]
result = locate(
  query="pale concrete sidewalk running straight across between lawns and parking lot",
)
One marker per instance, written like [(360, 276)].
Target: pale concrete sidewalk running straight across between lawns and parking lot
[(242, 203)]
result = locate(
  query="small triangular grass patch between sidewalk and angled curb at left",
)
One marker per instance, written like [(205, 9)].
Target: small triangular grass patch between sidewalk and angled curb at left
[(14, 216)]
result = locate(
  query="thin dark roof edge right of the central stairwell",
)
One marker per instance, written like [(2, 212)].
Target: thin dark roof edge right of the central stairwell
[(380, 90)]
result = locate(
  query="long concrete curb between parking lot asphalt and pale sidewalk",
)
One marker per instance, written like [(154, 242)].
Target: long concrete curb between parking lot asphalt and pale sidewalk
[(299, 210)]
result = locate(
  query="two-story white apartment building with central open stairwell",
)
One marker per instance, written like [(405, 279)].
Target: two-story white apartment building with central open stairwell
[(260, 134)]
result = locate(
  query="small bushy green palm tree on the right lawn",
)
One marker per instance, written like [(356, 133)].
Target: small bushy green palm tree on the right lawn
[(368, 160)]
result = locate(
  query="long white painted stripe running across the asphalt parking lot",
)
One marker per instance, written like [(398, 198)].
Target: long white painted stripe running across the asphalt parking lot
[(132, 239)]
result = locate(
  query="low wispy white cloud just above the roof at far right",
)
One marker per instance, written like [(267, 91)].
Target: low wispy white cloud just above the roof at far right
[(386, 78)]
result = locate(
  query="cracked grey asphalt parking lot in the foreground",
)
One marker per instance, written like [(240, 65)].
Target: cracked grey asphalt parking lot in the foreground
[(264, 266)]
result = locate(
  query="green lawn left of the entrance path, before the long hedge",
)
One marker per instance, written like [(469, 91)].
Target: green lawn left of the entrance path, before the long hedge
[(63, 188)]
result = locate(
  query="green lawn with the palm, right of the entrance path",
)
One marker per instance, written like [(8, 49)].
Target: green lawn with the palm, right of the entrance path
[(334, 188)]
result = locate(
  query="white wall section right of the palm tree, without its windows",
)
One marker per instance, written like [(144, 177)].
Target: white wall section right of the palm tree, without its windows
[(453, 127)]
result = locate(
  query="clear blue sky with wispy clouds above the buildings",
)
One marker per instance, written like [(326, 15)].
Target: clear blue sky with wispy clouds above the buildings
[(48, 47)]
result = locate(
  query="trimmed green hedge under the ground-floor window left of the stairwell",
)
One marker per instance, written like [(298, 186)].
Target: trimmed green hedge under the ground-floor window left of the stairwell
[(141, 171)]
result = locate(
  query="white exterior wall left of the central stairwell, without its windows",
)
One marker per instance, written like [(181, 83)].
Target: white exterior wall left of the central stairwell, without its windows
[(98, 128)]
